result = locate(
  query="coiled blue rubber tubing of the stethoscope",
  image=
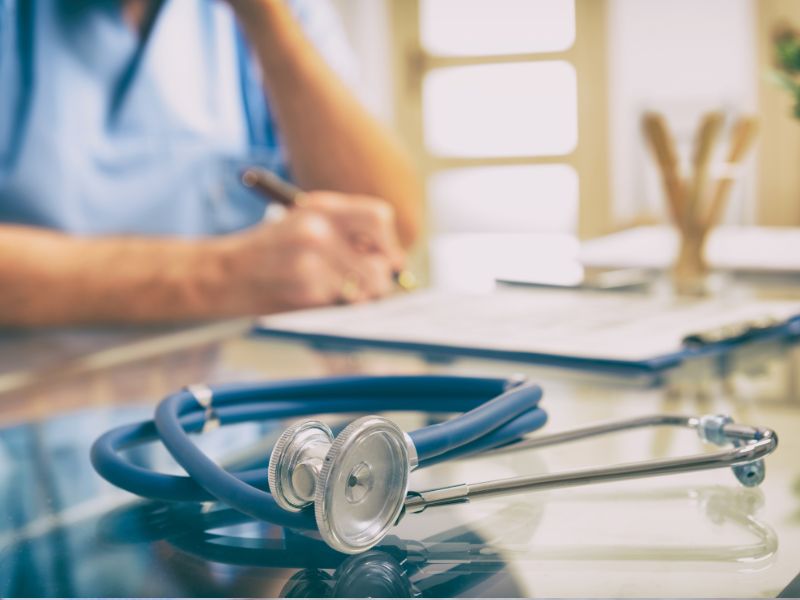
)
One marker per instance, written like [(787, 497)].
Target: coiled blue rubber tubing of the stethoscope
[(484, 425)]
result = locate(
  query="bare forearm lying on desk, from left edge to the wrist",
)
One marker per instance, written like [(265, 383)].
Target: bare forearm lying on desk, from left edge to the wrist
[(47, 278)]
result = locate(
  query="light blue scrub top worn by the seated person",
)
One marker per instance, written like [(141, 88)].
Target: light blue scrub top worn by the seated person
[(103, 132)]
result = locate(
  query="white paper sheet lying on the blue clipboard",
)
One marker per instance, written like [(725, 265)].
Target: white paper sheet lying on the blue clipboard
[(607, 326)]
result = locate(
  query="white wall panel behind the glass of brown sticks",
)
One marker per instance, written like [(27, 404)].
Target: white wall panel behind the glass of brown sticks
[(681, 57)]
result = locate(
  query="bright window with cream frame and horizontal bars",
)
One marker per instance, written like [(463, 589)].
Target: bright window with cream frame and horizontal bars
[(492, 95)]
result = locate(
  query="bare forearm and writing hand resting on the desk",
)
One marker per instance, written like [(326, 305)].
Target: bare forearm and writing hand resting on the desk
[(300, 261)]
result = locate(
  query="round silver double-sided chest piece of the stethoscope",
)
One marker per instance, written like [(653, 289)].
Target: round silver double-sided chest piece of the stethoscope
[(357, 483)]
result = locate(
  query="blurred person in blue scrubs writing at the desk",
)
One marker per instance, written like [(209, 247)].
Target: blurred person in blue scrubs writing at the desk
[(123, 127)]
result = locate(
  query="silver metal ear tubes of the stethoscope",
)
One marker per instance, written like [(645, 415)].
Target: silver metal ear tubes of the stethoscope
[(752, 444)]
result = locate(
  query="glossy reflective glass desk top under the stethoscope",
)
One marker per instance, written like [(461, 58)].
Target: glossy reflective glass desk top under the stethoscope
[(65, 532)]
